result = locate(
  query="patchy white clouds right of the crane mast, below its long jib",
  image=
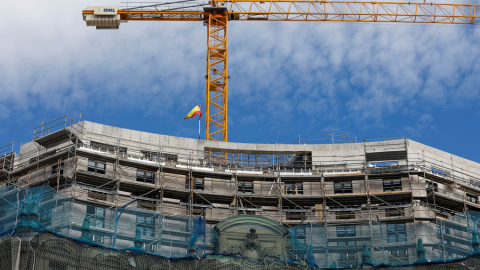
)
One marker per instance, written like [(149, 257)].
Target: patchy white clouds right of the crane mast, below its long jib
[(355, 70)]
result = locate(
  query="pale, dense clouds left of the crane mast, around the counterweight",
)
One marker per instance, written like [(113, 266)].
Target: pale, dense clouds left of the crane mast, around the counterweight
[(51, 57)]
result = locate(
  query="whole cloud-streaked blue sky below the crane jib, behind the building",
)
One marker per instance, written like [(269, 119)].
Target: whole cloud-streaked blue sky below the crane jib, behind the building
[(369, 80)]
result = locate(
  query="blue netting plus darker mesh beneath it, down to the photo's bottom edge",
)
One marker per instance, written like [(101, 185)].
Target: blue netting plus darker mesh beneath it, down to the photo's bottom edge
[(43, 229)]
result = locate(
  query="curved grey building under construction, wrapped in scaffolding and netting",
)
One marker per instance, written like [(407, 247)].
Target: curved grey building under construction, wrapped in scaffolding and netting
[(111, 198)]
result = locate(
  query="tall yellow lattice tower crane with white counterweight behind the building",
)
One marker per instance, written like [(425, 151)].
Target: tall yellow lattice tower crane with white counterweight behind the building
[(216, 14)]
